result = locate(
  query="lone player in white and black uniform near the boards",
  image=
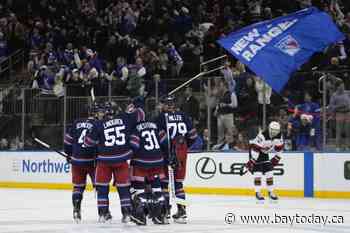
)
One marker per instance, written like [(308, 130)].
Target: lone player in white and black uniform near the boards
[(266, 142)]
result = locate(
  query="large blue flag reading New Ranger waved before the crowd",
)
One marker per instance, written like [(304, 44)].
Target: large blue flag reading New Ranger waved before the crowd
[(274, 49)]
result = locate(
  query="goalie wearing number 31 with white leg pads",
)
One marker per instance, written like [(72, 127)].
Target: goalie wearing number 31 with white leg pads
[(147, 166)]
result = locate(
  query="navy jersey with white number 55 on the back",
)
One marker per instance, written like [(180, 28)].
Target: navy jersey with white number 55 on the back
[(110, 136)]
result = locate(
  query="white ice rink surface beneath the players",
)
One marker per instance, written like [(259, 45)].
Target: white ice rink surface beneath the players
[(50, 211)]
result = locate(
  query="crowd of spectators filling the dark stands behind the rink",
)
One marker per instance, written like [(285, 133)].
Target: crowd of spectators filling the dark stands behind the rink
[(82, 44)]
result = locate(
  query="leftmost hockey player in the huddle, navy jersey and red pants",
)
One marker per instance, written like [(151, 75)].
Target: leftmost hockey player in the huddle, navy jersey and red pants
[(81, 157)]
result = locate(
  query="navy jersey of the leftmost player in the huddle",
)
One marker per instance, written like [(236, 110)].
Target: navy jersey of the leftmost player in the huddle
[(74, 143)]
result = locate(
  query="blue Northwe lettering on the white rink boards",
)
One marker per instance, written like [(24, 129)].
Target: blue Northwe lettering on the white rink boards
[(44, 166)]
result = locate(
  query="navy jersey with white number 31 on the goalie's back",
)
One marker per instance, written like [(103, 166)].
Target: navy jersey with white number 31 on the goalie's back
[(147, 144)]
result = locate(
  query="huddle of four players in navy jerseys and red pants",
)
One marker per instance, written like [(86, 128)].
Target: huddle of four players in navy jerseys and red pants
[(133, 152)]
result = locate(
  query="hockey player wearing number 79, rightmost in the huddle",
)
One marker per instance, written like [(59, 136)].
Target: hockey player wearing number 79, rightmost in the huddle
[(181, 135)]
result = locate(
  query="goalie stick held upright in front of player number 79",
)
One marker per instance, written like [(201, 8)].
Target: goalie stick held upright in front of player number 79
[(172, 195)]
